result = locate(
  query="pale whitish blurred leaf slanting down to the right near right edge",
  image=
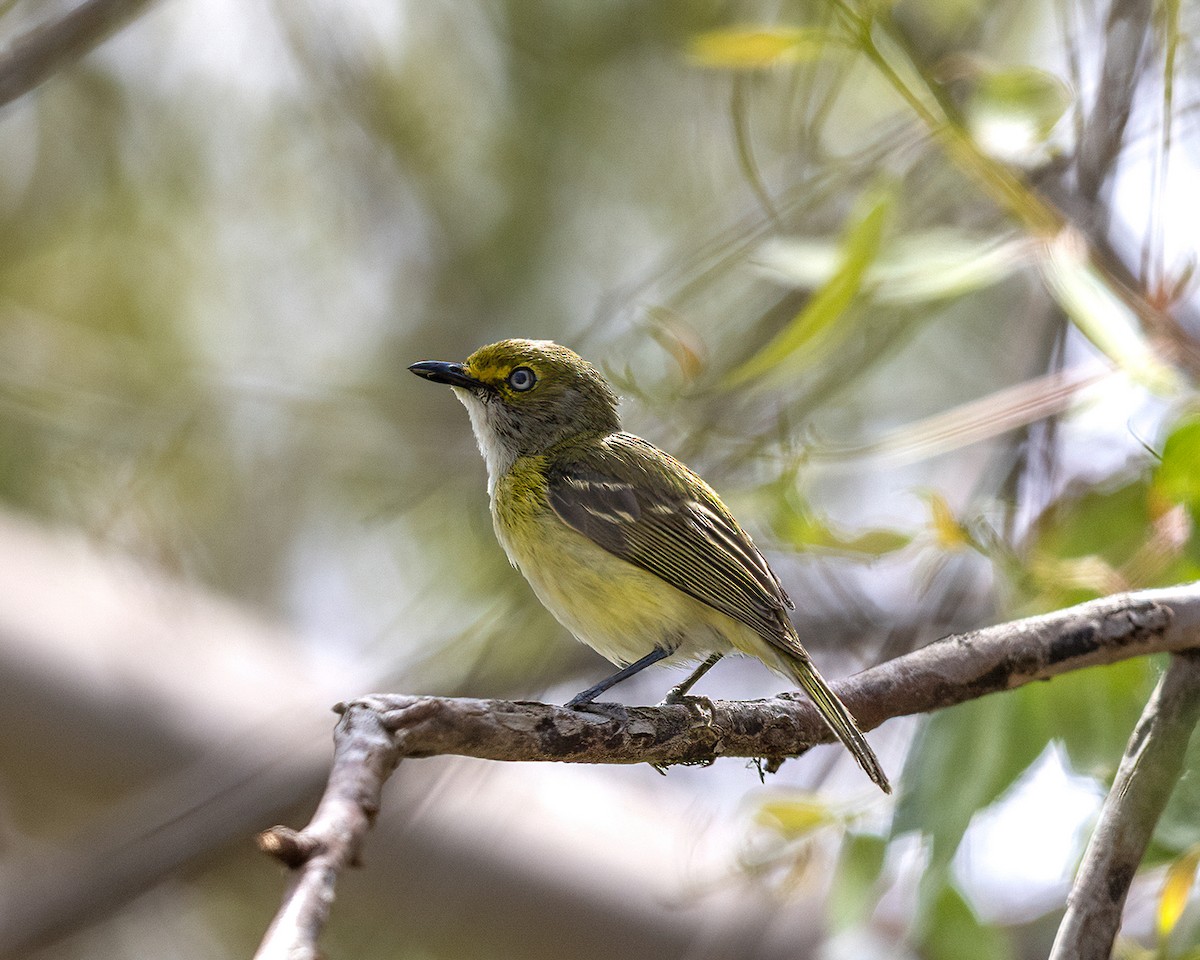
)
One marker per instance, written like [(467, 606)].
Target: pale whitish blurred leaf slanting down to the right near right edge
[(1100, 314)]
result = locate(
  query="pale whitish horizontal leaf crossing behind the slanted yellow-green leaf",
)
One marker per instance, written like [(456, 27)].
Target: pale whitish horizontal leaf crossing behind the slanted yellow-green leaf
[(920, 268)]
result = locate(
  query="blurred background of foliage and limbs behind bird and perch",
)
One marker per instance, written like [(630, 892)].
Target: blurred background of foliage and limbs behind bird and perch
[(910, 284)]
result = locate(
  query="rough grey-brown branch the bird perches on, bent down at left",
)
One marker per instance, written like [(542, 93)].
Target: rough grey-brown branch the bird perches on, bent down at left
[(941, 675)]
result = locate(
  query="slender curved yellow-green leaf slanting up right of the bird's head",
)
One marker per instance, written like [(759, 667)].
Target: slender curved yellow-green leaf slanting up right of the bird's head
[(860, 248)]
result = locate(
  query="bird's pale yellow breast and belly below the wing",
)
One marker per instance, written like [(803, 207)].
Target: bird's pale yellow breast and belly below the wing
[(614, 607)]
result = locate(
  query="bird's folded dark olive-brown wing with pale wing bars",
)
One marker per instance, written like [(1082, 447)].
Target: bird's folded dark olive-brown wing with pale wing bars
[(645, 507)]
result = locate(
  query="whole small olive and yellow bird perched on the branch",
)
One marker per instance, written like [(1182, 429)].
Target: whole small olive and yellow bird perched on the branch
[(632, 551)]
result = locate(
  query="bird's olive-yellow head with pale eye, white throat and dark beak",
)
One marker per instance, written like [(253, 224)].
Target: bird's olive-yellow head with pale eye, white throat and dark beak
[(525, 397)]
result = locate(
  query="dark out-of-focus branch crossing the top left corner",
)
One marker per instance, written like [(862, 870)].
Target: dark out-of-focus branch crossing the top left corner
[(35, 57)]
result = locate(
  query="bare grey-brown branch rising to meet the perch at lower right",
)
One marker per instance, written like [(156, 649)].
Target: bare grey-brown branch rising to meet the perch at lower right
[(1144, 783)]
